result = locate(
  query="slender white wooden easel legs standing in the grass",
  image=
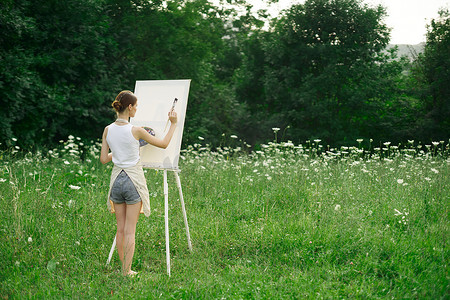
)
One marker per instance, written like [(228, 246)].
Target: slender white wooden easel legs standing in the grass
[(166, 217)]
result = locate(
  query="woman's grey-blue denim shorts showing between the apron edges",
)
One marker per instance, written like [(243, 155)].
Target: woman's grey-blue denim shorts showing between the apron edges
[(124, 191)]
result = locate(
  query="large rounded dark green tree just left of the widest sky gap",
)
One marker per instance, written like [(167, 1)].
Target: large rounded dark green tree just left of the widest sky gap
[(318, 56)]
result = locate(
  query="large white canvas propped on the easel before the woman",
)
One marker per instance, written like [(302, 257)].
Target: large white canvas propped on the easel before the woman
[(155, 99)]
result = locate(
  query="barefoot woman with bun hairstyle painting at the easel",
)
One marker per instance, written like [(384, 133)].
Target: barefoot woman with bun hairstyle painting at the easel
[(128, 193)]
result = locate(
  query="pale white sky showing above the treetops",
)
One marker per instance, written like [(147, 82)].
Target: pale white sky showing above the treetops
[(407, 18)]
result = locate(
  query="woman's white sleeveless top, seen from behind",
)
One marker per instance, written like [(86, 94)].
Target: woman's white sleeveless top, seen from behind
[(123, 145)]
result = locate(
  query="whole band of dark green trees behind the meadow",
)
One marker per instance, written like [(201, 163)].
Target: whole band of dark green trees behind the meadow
[(320, 70)]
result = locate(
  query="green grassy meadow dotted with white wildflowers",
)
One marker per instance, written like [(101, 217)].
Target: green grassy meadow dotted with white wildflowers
[(280, 221)]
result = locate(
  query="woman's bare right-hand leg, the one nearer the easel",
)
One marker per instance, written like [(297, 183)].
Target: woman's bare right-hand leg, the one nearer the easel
[(132, 215)]
